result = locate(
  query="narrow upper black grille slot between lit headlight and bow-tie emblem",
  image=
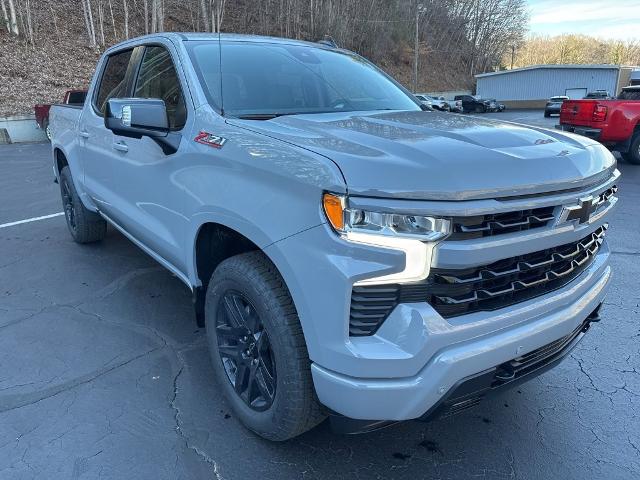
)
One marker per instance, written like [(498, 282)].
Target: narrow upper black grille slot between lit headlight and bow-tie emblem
[(466, 228)]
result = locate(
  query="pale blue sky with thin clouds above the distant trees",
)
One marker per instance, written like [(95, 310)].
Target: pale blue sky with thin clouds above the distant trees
[(619, 19)]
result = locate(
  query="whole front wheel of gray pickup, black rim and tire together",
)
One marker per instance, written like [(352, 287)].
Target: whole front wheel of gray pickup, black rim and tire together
[(275, 354)]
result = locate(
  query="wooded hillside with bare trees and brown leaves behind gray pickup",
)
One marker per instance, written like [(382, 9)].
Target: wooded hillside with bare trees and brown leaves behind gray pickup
[(48, 46)]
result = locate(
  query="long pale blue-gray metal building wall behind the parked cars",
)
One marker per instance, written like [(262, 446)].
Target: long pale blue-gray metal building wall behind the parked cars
[(542, 83)]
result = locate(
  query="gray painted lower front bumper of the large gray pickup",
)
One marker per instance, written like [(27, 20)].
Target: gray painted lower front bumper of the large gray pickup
[(421, 394)]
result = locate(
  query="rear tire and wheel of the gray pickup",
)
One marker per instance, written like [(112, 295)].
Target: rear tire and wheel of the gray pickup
[(84, 225)]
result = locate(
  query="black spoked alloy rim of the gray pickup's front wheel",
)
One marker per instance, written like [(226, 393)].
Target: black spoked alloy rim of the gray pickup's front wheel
[(245, 351)]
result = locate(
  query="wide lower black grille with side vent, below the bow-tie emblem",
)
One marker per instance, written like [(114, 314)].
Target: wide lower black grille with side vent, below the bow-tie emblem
[(459, 292)]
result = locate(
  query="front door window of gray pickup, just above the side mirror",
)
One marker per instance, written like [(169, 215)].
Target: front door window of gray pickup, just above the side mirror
[(158, 79)]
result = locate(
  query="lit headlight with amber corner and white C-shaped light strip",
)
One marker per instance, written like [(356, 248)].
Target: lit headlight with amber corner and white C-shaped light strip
[(415, 235)]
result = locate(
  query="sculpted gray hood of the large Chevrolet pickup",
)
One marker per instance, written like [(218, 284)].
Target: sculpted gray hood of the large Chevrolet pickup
[(430, 155)]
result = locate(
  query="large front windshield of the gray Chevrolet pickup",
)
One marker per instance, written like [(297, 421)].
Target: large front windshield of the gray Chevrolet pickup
[(270, 79)]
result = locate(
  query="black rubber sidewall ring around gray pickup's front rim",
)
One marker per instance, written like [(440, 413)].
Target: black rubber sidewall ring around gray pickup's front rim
[(226, 279)]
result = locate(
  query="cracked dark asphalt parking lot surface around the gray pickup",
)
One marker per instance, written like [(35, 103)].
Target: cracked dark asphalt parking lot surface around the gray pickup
[(104, 374)]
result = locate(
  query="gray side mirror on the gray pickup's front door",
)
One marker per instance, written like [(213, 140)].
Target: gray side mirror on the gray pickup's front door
[(141, 117)]
